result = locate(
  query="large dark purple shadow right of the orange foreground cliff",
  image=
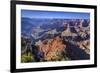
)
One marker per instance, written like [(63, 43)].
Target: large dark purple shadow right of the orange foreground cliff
[(76, 53)]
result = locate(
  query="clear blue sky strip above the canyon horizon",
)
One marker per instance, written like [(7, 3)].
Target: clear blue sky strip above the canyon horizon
[(54, 14)]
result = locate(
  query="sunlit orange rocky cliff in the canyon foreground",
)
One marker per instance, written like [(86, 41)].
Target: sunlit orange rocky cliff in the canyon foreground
[(53, 49)]
